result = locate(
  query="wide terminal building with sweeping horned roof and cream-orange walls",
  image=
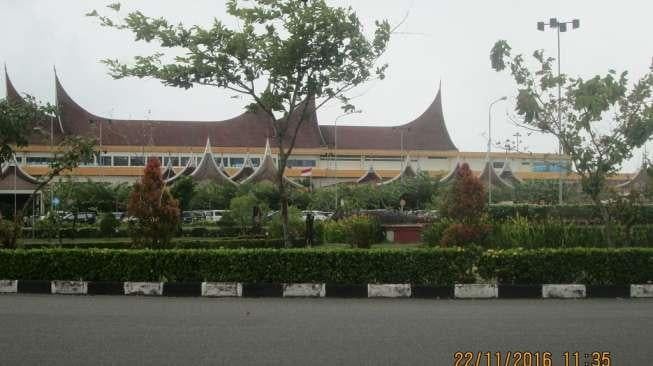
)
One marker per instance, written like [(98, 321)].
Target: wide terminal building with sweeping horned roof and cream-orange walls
[(331, 154)]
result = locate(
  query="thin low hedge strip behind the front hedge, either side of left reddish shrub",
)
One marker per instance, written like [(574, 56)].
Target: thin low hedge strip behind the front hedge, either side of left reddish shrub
[(185, 244)]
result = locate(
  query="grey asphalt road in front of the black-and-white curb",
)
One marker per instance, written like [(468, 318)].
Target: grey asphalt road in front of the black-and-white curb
[(121, 330)]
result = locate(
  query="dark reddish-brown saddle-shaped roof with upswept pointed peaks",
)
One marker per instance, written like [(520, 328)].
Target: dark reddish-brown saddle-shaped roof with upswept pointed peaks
[(250, 129)]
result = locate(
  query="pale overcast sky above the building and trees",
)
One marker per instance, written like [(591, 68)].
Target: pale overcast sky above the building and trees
[(440, 42)]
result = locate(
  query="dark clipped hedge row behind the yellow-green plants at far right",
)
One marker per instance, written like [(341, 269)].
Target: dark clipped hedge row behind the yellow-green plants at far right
[(578, 213)]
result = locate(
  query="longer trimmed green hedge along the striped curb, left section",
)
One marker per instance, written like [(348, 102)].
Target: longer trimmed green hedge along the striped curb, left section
[(339, 266)]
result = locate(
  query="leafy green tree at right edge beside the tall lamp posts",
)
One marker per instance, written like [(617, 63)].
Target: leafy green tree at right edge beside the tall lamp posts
[(598, 121)]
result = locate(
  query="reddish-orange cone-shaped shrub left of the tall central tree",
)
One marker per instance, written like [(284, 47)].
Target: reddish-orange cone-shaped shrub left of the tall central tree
[(156, 212)]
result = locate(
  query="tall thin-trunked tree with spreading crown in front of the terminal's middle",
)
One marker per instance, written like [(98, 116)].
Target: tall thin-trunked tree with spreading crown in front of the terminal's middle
[(283, 54)]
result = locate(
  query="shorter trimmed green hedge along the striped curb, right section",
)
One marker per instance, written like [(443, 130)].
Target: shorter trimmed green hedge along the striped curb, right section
[(591, 266)]
